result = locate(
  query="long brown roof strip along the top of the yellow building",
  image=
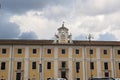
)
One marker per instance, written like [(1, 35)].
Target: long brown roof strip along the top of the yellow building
[(50, 42)]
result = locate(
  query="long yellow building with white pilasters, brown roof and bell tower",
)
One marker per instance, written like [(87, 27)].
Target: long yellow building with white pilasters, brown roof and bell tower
[(58, 58)]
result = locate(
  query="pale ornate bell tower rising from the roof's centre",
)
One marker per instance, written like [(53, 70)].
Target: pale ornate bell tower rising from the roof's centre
[(63, 36)]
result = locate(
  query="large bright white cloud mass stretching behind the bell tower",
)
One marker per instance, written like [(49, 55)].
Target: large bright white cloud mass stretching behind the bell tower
[(97, 17)]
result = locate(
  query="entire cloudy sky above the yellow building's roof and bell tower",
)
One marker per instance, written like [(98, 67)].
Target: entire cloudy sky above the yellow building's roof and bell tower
[(39, 19)]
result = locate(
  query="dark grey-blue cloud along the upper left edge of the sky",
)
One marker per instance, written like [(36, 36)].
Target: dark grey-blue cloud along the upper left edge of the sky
[(21, 6)]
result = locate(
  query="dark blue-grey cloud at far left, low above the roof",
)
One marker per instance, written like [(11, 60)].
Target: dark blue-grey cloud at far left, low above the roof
[(9, 30)]
